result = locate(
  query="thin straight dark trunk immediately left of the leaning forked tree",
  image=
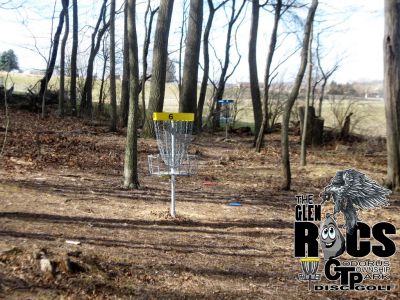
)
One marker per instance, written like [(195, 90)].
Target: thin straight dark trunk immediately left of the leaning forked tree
[(74, 53)]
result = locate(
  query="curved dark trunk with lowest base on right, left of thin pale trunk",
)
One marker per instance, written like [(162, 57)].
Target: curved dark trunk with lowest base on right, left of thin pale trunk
[(286, 173)]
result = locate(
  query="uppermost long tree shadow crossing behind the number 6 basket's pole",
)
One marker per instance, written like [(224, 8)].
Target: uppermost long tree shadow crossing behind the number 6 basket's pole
[(217, 195)]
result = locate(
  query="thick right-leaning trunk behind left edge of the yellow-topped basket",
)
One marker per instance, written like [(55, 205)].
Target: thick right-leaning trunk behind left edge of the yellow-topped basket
[(160, 56)]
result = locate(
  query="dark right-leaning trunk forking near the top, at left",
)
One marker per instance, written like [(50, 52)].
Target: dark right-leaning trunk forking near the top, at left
[(97, 35)]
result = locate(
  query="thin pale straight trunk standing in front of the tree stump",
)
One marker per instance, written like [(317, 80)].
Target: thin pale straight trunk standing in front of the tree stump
[(303, 146)]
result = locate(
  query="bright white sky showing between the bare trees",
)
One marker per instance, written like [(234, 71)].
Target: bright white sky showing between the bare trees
[(357, 37)]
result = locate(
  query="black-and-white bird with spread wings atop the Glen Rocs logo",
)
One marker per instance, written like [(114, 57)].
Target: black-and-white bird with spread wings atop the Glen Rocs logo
[(351, 190)]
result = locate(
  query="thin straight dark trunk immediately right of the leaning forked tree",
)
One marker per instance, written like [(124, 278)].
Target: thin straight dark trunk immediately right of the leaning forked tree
[(113, 88)]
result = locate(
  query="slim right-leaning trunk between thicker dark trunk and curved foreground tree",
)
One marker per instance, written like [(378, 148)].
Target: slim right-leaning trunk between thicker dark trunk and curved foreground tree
[(267, 83)]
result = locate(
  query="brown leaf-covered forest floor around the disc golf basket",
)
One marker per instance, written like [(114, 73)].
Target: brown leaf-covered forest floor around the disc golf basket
[(61, 183)]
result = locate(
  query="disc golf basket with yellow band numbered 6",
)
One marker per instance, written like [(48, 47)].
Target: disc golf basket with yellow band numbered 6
[(173, 133)]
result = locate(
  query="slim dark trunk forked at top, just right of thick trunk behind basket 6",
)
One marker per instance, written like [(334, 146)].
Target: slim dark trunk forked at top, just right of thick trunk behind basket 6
[(206, 58)]
